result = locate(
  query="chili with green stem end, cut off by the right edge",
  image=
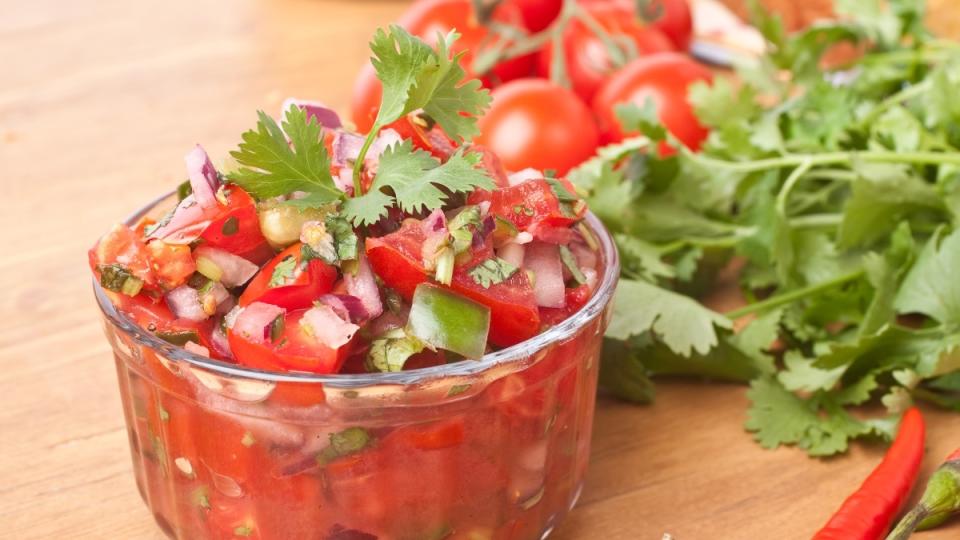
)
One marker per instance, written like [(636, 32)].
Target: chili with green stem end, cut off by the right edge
[(940, 500)]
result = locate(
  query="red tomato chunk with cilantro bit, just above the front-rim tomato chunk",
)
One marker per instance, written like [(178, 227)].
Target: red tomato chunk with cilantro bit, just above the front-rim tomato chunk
[(299, 290)]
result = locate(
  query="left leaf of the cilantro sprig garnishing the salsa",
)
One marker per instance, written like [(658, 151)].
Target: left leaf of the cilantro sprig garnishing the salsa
[(272, 166)]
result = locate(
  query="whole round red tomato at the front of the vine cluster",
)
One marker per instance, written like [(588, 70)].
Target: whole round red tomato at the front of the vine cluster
[(535, 123)]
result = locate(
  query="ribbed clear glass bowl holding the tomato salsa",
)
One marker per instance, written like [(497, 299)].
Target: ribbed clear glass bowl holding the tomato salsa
[(474, 450)]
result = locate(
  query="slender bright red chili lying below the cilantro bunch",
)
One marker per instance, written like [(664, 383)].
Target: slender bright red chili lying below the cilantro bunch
[(868, 513)]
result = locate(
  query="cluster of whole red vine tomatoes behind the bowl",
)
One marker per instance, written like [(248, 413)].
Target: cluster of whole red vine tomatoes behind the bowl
[(553, 113)]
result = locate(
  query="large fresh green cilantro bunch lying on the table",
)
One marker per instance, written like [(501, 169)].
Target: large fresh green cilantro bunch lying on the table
[(833, 197)]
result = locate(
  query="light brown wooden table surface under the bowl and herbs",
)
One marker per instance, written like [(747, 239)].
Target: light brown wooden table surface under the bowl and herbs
[(99, 101)]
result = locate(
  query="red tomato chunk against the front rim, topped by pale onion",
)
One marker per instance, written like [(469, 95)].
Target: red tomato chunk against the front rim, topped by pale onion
[(293, 350)]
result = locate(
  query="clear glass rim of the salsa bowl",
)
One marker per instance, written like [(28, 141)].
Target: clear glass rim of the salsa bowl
[(511, 355)]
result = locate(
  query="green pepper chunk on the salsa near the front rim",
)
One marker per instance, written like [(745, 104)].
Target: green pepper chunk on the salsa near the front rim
[(446, 320)]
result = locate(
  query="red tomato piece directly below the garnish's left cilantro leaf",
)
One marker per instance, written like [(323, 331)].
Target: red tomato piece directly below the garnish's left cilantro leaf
[(236, 227)]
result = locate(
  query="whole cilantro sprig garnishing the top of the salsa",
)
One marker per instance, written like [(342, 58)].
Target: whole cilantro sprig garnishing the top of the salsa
[(276, 160)]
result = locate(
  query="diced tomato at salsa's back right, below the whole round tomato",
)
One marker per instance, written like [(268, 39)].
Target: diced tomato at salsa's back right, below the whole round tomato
[(529, 203)]
